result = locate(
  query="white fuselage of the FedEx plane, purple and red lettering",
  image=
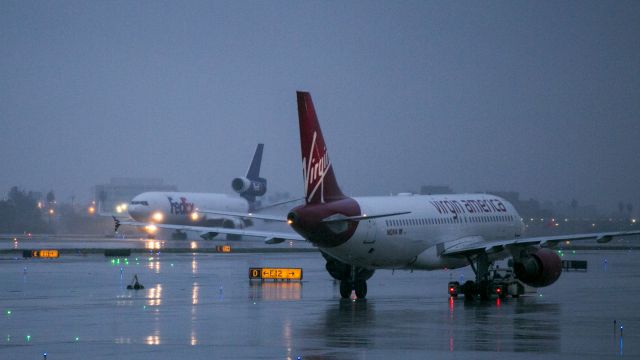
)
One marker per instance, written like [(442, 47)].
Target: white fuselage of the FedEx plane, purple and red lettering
[(178, 207)]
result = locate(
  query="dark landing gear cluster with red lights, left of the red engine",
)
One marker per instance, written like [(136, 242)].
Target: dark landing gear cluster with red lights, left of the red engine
[(489, 281)]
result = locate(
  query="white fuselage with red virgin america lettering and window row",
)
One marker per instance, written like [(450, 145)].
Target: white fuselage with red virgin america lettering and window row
[(435, 223)]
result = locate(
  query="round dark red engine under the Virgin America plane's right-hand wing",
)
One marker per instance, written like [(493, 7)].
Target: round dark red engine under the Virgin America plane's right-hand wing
[(539, 269)]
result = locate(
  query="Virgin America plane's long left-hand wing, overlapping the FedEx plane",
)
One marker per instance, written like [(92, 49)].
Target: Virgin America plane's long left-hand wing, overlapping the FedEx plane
[(270, 237)]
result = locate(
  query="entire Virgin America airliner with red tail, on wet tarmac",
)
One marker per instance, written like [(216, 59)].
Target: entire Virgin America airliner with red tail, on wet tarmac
[(358, 235)]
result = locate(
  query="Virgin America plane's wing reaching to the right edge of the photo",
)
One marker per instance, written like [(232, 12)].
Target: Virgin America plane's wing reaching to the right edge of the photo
[(471, 247)]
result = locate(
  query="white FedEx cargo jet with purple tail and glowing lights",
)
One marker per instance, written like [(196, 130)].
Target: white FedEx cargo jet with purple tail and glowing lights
[(178, 209)]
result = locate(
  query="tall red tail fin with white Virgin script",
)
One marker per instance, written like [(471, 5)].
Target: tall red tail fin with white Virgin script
[(320, 183)]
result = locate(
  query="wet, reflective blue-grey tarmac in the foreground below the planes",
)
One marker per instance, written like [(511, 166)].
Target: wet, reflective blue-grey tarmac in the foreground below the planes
[(202, 306)]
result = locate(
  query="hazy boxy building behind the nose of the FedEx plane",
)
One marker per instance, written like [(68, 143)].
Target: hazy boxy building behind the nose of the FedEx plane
[(122, 190)]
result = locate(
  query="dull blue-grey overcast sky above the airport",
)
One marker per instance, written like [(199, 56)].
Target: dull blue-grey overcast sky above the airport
[(537, 97)]
